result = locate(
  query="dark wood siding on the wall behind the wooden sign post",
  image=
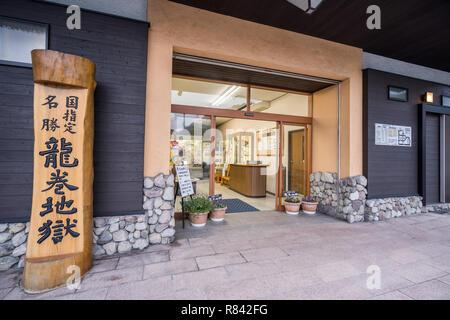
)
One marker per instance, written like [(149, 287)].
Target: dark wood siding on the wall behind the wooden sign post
[(119, 49)]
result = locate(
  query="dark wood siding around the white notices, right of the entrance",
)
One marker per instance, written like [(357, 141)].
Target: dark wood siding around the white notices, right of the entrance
[(393, 171)]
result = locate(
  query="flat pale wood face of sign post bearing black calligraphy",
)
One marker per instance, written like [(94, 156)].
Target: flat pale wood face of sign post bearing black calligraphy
[(57, 204)]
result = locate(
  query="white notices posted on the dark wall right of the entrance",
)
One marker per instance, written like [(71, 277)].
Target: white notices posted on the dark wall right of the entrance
[(392, 135)]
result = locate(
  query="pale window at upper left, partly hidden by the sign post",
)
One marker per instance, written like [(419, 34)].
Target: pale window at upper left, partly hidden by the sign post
[(18, 38)]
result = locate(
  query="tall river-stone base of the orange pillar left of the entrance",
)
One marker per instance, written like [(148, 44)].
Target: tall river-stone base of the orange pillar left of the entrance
[(159, 206)]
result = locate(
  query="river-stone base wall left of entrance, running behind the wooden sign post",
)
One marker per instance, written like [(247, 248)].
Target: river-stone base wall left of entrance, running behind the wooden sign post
[(111, 235)]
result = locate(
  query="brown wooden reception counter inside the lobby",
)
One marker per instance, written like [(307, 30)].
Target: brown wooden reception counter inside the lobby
[(248, 179)]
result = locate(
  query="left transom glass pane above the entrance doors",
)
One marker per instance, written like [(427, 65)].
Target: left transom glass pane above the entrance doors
[(208, 94)]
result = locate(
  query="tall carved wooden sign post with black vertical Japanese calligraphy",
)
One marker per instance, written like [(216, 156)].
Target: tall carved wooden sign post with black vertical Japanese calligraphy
[(60, 236)]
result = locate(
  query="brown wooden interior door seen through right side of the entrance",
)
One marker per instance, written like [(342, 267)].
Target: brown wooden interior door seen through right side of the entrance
[(297, 157)]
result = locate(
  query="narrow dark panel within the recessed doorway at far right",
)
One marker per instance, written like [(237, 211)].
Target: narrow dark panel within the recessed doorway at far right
[(433, 160)]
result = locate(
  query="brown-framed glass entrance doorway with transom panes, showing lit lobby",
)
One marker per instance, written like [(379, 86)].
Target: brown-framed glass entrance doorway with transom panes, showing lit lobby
[(249, 144)]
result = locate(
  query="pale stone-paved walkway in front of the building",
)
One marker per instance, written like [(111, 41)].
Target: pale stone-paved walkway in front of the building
[(269, 255)]
